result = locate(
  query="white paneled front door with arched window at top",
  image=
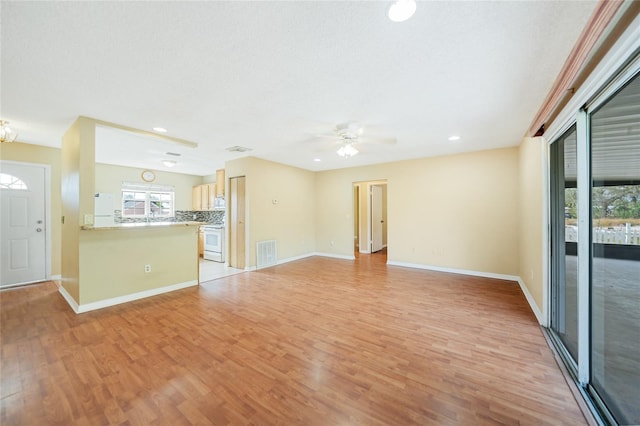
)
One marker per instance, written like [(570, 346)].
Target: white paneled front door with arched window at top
[(22, 213)]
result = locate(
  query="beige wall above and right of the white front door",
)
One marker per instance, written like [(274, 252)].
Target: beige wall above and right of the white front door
[(49, 156)]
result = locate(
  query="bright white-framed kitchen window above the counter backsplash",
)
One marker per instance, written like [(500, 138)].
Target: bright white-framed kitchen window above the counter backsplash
[(147, 201)]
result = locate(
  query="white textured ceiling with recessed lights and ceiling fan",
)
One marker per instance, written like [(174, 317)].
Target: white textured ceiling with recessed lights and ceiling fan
[(272, 75)]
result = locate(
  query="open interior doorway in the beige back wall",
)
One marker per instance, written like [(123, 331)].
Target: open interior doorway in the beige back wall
[(370, 217)]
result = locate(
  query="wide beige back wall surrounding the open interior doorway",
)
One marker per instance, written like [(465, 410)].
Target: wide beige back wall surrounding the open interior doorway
[(458, 211)]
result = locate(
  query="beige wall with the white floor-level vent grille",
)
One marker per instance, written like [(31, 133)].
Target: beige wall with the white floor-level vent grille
[(291, 220)]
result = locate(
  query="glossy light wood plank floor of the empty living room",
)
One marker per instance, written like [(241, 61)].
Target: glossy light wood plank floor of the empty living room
[(314, 342)]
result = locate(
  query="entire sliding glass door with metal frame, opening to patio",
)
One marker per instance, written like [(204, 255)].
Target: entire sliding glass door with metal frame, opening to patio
[(595, 248)]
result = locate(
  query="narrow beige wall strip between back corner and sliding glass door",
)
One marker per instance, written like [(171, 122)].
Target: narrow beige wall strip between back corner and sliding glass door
[(532, 155)]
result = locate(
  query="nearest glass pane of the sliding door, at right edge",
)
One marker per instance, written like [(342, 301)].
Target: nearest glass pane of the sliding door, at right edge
[(615, 267)]
